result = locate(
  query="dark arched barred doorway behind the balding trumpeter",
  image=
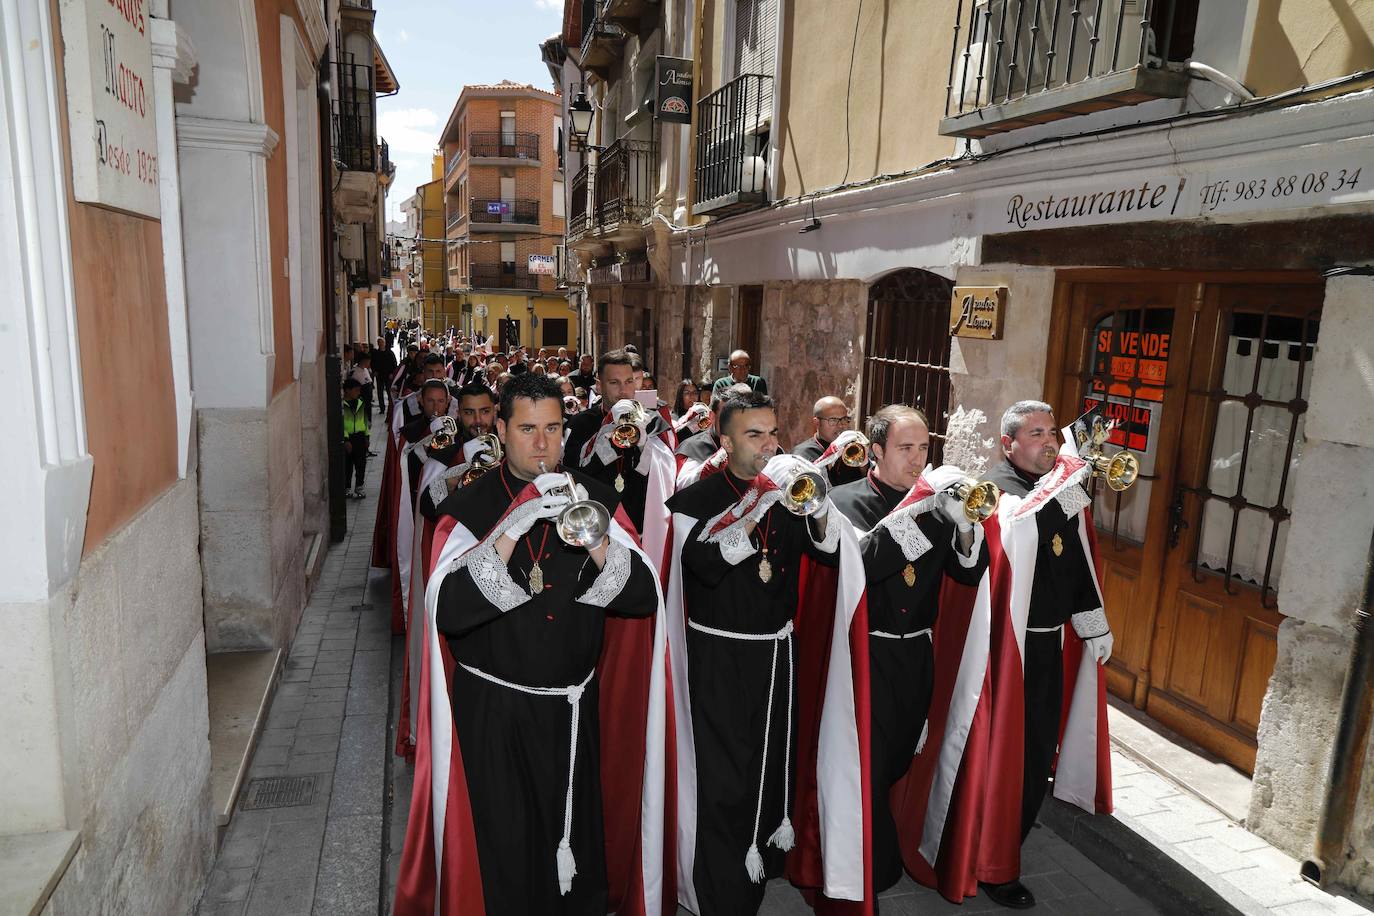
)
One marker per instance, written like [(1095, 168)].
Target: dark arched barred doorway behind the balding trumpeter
[(908, 359)]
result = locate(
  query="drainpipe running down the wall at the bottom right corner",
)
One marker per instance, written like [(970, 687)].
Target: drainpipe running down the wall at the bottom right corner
[(1351, 742)]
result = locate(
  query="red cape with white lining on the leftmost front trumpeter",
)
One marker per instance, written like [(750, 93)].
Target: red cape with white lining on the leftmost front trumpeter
[(439, 862)]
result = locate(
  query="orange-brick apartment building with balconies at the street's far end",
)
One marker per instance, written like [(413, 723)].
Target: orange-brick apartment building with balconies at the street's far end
[(505, 215)]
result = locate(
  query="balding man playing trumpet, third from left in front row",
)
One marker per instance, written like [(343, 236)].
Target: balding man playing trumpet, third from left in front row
[(913, 535)]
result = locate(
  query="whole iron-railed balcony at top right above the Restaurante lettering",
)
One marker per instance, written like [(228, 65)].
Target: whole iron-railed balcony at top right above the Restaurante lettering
[(1022, 62)]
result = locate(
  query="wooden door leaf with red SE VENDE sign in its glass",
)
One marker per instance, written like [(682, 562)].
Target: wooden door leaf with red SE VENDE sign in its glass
[(1123, 351)]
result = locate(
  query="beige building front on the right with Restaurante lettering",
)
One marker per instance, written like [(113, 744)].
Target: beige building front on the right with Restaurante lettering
[(1170, 204)]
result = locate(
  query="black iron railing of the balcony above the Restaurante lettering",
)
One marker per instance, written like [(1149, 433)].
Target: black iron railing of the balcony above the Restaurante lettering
[(1028, 32)]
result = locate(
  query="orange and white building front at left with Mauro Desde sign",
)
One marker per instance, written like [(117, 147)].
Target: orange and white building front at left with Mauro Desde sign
[(172, 318)]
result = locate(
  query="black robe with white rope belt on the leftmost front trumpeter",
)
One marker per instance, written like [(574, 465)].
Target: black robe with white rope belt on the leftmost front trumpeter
[(516, 745)]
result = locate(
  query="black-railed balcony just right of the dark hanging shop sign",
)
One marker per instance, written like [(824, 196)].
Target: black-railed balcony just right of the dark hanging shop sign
[(733, 146)]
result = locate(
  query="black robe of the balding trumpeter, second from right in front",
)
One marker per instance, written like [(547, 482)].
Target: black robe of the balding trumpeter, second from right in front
[(901, 671)]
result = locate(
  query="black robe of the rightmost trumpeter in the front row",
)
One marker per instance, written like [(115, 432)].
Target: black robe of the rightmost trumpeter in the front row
[(1061, 588)]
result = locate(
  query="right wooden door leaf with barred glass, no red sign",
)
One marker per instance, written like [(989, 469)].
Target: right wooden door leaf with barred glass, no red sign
[(1218, 623)]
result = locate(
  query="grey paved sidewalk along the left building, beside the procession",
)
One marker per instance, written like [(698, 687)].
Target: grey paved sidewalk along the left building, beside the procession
[(328, 733)]
